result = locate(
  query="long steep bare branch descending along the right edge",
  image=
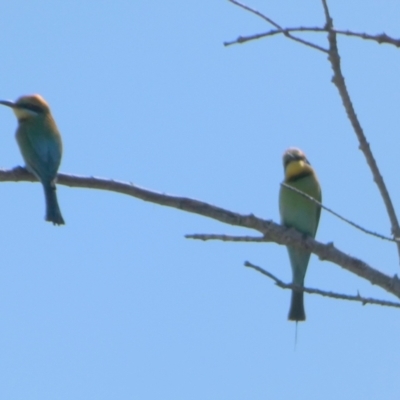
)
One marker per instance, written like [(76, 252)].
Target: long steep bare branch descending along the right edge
[(339, 82)]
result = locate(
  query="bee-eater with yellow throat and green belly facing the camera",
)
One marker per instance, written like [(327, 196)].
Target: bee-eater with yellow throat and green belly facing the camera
[(302, 214)]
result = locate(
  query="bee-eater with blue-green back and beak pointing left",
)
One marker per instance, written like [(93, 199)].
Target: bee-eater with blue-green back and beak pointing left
[(40, 144)]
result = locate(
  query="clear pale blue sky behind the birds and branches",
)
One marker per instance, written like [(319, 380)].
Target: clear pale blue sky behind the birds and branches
[(117, 304)]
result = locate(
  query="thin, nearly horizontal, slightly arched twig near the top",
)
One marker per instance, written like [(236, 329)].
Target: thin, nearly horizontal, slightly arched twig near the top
[(379, 38)]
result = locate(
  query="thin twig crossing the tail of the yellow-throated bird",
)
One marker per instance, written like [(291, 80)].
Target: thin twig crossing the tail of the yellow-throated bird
[(334, 295)]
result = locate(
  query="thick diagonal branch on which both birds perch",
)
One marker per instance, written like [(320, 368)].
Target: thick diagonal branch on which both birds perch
[(271, 231)]
